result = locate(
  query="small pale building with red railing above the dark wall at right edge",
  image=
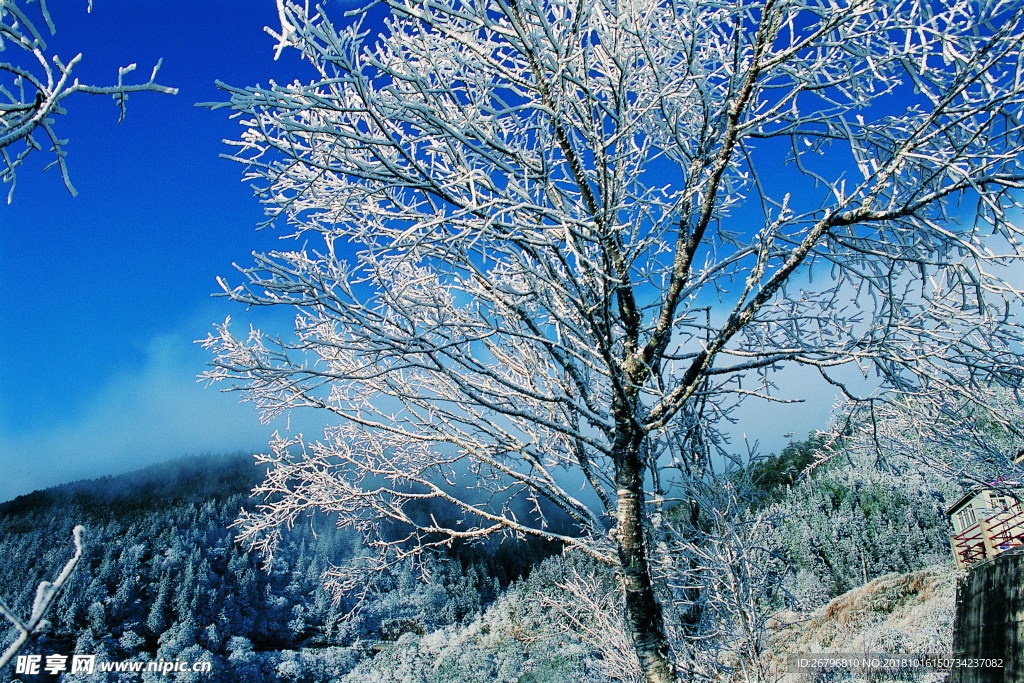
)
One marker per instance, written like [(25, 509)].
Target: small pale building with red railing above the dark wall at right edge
[(988, 521)]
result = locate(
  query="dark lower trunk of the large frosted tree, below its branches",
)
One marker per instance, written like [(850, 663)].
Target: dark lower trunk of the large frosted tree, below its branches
[(645, 618)]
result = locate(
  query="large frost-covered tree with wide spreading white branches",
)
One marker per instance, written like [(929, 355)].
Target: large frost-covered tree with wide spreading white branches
[(550, 245)]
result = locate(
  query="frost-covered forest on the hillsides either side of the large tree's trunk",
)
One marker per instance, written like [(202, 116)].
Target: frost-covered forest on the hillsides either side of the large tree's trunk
[(163, 578)]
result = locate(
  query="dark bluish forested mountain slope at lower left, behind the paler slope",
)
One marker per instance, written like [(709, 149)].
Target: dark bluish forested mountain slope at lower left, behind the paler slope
[(162, 579)]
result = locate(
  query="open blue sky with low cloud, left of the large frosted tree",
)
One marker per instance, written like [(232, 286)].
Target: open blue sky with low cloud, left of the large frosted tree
[(105, 294)]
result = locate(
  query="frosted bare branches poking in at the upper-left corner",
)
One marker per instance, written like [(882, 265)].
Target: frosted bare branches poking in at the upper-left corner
[(34, 83)]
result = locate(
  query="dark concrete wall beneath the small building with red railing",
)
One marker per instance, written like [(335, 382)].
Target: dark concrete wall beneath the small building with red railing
[(990, 621)]
